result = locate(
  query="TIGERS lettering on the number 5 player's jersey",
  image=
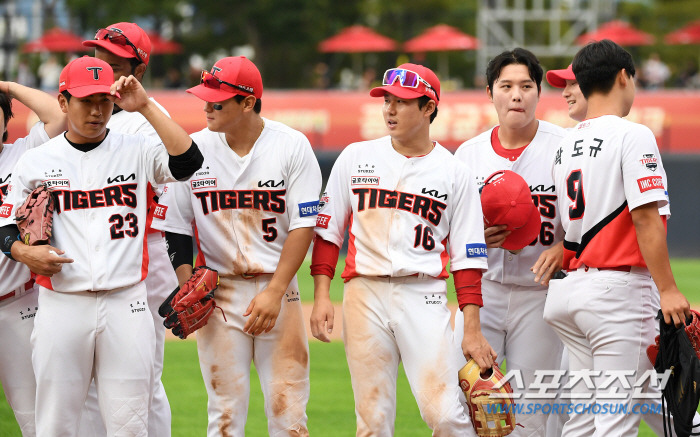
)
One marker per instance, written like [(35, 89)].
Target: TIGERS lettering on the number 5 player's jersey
[(264, 200)]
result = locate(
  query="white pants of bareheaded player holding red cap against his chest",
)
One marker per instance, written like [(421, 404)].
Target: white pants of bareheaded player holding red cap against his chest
[(512, 323)]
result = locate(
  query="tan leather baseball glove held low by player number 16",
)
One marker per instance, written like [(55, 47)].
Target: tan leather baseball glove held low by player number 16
[(490, 404)]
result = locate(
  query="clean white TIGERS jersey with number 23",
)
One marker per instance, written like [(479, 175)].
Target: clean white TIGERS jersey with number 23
[(101, 208)]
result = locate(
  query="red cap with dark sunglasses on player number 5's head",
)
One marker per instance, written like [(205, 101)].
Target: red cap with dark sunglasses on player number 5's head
[(231, 76)]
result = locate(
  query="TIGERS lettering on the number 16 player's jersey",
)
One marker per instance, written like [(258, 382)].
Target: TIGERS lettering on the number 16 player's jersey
[(370, 198)]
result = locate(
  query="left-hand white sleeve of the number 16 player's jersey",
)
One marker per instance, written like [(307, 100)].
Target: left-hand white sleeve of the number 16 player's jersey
[(336, 206)]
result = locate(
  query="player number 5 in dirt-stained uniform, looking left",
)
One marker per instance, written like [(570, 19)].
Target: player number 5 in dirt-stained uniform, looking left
[(253, 206)]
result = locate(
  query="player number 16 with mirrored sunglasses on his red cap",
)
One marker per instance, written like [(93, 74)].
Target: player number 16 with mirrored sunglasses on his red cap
[(403, 198)]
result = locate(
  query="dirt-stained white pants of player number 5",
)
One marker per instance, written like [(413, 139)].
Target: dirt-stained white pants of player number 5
[(281, 359)]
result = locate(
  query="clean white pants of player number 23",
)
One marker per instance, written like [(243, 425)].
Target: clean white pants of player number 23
[(105, 335)]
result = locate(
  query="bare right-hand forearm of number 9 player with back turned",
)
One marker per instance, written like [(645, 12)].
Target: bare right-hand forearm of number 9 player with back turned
[(651, 236)]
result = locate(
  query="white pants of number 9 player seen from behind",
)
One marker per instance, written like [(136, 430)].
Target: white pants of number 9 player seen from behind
[(605, 320)]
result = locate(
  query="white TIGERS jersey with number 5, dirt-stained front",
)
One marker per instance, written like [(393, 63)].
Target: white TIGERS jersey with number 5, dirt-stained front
[(244, 208)]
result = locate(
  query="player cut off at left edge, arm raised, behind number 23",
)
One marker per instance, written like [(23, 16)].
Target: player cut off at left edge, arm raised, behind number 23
[(18, 300)]
